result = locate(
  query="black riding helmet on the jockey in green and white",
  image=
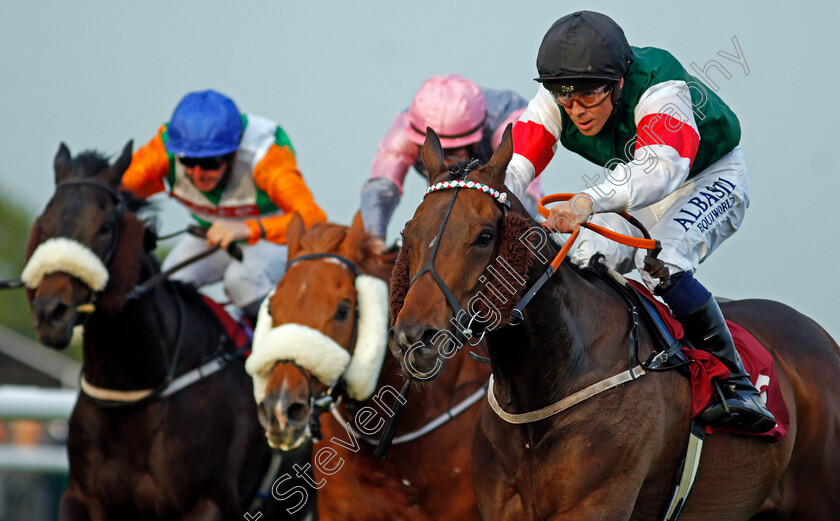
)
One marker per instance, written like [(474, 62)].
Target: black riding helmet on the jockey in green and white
[(582, 51)]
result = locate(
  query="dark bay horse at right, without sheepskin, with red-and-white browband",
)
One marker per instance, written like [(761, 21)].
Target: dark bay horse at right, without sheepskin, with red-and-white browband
[(612, 457)]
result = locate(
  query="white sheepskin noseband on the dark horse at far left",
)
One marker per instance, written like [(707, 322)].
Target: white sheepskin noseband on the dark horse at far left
[(68, 256)]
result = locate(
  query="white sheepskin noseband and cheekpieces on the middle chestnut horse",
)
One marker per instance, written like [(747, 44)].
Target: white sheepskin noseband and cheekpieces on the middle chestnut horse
[(320, 354)]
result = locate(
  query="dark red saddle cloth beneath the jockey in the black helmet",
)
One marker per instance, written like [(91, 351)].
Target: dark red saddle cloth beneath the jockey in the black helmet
[(757, 361)]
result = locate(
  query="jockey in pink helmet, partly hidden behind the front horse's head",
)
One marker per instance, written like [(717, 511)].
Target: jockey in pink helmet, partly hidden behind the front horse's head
[(469, 121)]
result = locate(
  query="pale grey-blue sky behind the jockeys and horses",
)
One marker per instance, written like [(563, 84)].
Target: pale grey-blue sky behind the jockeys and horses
[(95, 74)]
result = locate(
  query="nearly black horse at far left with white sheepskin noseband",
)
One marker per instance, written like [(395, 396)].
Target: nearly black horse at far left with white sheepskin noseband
[(198, 454)]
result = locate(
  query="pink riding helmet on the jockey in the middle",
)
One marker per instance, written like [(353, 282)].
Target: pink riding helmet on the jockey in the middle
[(453, 106)]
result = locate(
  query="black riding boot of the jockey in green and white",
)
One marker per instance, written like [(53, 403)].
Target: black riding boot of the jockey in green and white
[(743, 408)]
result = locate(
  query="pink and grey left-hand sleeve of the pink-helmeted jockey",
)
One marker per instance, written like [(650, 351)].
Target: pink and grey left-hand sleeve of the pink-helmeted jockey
[(382, 191)]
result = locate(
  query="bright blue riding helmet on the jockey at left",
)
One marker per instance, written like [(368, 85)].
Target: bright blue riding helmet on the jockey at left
[(204, 124)]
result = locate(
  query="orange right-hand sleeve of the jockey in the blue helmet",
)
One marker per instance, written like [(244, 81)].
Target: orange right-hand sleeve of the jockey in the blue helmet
[(277, 175)]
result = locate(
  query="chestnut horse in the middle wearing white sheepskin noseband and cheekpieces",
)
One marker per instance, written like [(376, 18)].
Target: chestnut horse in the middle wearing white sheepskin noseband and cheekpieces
[(332, 303)]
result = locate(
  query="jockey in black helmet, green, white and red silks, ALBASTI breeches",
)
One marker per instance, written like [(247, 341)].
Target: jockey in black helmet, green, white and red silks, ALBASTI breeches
[(669, 149)]
